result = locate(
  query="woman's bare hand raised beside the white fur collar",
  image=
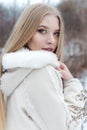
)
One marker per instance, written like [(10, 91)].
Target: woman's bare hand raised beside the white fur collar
[(66, 74)]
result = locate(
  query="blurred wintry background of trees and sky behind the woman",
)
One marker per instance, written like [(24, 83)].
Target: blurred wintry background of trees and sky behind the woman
[(74, 14)]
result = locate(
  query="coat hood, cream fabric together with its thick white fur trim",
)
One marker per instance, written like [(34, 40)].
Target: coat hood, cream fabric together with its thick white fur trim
[(26, 59)]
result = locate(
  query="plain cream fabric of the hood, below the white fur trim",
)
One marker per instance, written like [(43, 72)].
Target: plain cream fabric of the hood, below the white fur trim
[(12, 79)]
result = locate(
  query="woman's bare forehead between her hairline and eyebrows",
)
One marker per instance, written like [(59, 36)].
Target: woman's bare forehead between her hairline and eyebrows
[(50, 21)]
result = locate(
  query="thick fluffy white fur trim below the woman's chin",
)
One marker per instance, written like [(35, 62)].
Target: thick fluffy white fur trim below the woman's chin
[(29, 59)]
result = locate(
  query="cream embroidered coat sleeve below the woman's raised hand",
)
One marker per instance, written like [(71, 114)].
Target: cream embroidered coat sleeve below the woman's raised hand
[(75, 100)]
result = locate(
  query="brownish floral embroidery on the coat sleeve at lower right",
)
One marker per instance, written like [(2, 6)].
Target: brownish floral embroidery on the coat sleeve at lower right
[(78, 112)]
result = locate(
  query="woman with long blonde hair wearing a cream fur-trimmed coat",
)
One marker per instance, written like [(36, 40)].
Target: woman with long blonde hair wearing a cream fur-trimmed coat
[(37, 91)]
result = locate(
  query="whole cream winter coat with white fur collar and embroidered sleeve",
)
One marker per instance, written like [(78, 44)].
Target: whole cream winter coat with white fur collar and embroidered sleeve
[(35, 95)]
